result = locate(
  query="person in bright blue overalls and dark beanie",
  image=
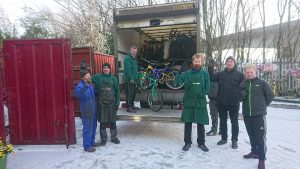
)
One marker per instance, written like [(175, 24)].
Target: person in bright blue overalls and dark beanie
[(86, 94)]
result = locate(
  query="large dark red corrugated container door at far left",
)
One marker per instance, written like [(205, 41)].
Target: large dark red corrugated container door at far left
[(39, 91)]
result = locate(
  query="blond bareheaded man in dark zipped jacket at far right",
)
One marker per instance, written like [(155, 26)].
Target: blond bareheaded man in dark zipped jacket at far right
[(258, 96)]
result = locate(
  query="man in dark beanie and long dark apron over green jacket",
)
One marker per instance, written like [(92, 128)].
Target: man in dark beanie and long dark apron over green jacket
[(108, 101)]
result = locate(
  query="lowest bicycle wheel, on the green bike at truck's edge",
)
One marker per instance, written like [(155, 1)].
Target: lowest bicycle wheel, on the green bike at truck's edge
[(155, 99)]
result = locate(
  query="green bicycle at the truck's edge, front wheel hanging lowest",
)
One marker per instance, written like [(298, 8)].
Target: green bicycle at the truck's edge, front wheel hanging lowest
[(154, 97)]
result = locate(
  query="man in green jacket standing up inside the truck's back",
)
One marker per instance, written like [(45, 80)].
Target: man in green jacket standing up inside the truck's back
[(130, 78)]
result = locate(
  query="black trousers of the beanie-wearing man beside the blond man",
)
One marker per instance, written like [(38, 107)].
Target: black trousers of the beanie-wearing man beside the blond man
[(234, 114)]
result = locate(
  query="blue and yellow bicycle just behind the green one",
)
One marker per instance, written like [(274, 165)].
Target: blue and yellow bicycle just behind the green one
[(164, 75)]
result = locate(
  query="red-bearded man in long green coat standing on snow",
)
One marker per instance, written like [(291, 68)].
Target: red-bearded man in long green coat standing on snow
[(196, 86)]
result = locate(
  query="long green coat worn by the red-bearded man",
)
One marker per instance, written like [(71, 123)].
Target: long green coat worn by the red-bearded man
[(196, 86)]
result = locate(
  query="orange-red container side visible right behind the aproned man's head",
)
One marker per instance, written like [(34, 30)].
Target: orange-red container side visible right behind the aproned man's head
[(100, 59)]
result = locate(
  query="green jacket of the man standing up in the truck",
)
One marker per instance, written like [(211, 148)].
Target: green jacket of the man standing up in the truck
[(130, 68)]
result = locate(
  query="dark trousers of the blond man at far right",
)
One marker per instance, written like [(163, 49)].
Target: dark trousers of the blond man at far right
[(256, 129)]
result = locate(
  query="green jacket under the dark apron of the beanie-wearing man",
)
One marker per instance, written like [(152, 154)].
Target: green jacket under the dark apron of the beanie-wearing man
[(98, 78)]
